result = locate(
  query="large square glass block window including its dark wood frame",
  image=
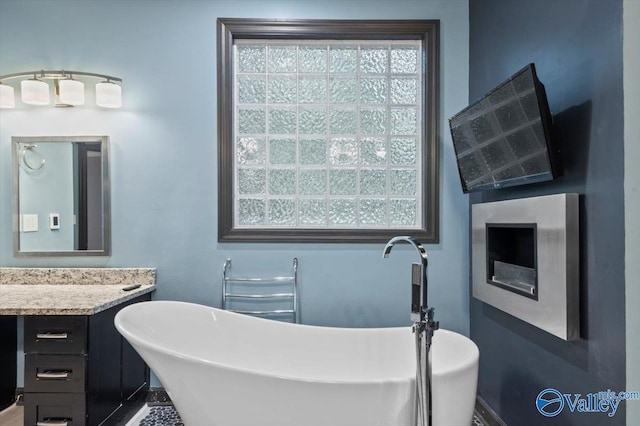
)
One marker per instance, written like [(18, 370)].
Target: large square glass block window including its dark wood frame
[(326, 137)]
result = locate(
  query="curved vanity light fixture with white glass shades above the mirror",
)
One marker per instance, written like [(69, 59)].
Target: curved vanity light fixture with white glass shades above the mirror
[(67, 90)]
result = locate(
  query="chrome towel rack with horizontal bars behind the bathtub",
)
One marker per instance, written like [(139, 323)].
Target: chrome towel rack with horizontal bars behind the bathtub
[(231, 286)]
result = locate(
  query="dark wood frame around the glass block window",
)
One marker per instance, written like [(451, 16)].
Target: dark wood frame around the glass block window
[(428, 31)]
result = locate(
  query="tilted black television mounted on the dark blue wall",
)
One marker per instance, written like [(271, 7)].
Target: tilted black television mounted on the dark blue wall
[(504, 139)]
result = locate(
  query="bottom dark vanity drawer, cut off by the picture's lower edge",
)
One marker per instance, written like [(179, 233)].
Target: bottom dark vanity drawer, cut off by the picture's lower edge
[(54, 409)]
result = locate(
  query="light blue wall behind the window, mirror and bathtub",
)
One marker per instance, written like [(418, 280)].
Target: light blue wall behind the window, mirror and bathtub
[(163, 152)]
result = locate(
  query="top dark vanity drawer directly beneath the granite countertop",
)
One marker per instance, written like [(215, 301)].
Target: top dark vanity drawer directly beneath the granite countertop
[(55, 334)]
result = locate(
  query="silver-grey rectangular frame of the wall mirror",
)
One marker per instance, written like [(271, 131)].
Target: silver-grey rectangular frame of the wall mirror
[(106, 195)]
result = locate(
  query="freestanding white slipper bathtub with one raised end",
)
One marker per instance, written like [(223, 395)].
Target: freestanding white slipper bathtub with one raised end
[(223, 368)]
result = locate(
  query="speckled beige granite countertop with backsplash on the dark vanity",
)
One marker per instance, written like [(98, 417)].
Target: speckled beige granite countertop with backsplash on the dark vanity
[(69, 291)]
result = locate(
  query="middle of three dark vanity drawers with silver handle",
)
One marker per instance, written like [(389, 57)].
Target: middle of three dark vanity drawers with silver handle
[(54, 373)]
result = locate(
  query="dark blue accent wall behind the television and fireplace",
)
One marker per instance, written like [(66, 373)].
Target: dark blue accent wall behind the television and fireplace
[(577, 48)]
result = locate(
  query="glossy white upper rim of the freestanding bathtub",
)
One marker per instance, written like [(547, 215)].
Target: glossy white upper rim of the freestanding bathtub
[(150, 345)]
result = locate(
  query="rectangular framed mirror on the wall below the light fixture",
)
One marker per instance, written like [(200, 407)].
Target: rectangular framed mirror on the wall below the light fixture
[(61, 200)]
